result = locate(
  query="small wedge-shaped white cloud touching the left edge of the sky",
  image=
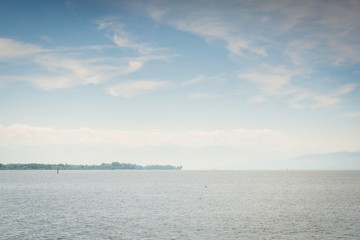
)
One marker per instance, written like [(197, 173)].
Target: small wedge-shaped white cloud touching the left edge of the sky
[(10, 48)]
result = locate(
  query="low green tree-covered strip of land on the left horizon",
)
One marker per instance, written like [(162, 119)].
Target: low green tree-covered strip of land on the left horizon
[(103, 166)]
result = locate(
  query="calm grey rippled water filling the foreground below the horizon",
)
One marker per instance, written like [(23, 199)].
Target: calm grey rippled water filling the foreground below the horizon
[(179, 205)]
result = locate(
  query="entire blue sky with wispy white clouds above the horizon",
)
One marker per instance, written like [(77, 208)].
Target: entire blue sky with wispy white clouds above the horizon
[(203, 84)]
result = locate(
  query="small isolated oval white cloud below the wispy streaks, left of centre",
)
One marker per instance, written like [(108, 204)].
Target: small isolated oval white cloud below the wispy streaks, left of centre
[(132, 88)]
